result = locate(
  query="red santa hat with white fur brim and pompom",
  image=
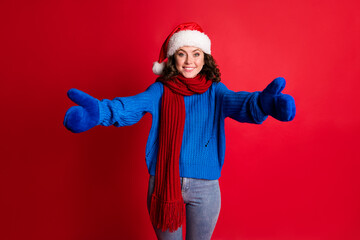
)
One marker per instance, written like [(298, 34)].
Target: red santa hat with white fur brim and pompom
[(186, 34)]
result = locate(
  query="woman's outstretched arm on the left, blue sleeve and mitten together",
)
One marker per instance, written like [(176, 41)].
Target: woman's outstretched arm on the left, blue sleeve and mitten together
[(121, 111)]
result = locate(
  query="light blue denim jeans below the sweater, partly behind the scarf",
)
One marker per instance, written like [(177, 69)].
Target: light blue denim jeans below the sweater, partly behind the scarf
[(202, 202)]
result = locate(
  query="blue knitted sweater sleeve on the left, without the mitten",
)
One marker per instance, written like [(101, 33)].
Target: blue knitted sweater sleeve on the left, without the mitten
[(126, 111)]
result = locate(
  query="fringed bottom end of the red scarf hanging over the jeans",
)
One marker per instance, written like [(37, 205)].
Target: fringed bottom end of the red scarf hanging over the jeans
[(167, 214)]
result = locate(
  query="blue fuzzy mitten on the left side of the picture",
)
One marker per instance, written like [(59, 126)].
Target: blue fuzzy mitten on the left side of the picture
[(83, 117)]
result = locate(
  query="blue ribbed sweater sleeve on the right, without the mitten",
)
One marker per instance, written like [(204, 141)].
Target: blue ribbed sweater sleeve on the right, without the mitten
[(240, 106)]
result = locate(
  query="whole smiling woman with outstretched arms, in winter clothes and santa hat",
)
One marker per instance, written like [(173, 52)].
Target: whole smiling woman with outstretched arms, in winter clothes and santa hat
[(186, 144)]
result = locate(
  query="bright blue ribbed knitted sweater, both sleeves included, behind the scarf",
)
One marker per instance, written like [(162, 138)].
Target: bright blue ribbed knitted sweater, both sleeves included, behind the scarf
[(203, 145)]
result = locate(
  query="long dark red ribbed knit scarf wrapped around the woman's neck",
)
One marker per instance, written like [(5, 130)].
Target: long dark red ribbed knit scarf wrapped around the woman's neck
[(167, 209)]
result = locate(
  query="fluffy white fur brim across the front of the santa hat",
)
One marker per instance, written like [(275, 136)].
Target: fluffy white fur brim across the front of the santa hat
[(191, 38)]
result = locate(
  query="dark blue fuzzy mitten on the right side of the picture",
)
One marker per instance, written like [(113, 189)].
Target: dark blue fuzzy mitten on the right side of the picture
[(276, 104)]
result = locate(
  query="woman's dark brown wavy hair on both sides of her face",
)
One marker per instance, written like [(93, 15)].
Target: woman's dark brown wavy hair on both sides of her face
[(210, 68)]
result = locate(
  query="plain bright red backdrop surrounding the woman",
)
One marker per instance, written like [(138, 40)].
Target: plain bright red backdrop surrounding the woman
[(280, 181)]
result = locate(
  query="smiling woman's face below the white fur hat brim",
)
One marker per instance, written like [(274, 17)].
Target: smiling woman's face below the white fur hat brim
[(189, 61)]
